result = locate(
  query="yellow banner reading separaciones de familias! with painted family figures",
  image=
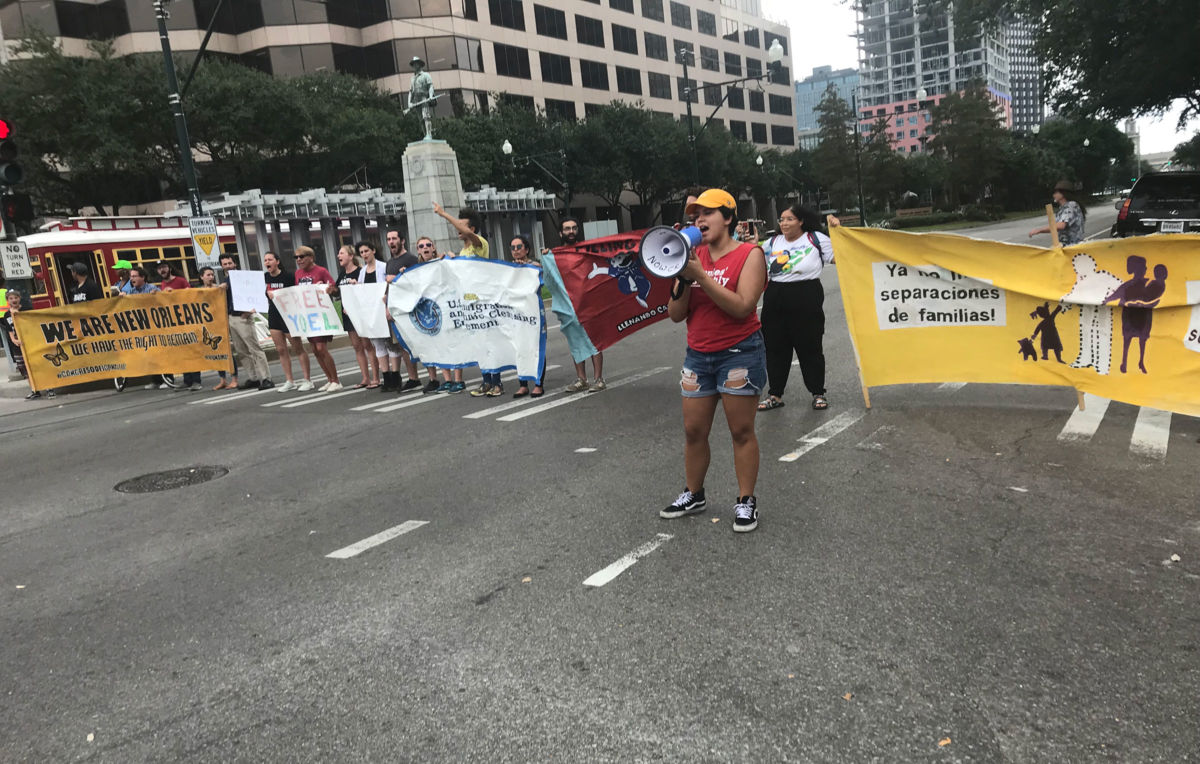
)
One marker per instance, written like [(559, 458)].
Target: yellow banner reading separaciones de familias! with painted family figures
[(1118, 318)]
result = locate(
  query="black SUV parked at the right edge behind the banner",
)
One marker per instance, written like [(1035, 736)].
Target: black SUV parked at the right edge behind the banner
[(1161, 203)]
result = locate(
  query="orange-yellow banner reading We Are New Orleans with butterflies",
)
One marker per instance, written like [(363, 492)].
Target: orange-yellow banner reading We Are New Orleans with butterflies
[(163, 333)]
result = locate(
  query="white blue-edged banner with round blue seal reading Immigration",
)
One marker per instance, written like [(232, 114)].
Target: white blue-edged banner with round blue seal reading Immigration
[(470, 312)]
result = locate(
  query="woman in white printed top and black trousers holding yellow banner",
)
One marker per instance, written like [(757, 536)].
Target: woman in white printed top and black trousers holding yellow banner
[(794, 305)]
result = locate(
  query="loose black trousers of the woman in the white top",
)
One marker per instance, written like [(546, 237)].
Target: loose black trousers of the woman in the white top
[(794, 322)]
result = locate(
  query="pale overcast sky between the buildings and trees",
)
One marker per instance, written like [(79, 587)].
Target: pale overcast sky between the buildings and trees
[(823, 34)]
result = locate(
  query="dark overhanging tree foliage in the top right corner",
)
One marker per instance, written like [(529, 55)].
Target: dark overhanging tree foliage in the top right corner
[(1108, 58)]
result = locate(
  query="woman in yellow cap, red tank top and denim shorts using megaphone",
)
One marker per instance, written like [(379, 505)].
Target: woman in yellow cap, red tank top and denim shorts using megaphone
[(718, 296)]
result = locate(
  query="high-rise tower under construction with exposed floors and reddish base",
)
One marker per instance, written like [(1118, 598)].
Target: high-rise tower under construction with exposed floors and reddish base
[(905, 50)]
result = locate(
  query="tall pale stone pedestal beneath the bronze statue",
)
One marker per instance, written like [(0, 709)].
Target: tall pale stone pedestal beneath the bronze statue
[(431, 175)]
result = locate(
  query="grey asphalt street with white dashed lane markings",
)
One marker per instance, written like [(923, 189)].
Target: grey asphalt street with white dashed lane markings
[(944, 577)]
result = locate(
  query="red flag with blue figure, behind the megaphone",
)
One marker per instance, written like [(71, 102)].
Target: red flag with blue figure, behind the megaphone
[(611, 294)]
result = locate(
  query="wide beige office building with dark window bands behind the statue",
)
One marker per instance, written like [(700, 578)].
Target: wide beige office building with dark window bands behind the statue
[(566, 57)]
